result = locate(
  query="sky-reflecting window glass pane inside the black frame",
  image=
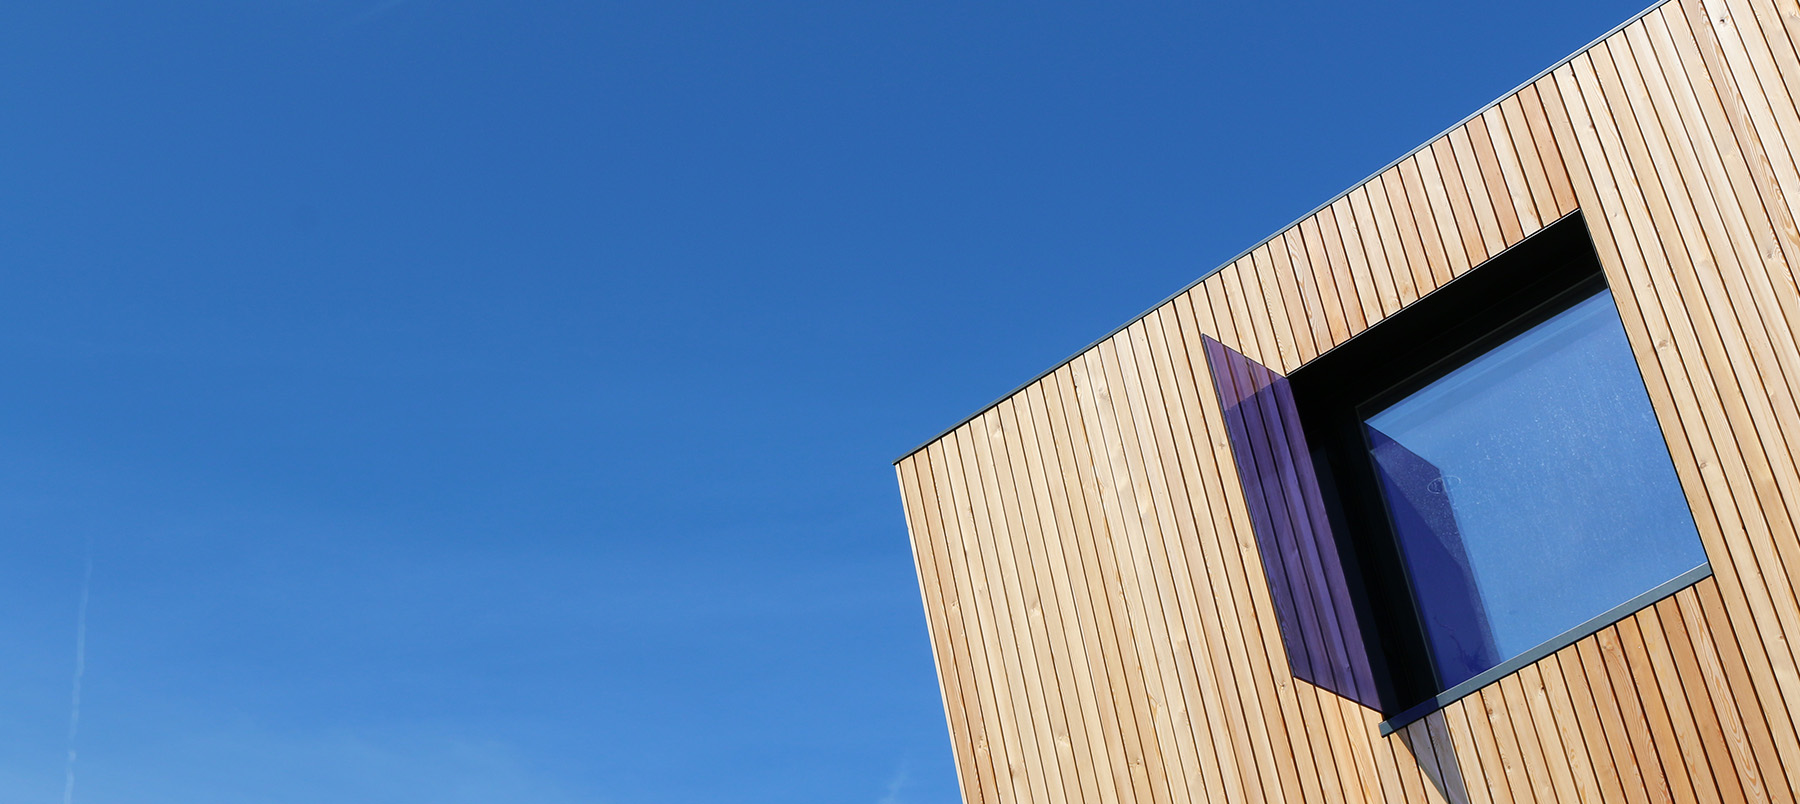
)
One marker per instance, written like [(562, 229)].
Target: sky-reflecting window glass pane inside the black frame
[(1531, 490)]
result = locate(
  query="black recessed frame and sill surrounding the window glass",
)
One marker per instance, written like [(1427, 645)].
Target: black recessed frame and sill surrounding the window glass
[(1509, 294)]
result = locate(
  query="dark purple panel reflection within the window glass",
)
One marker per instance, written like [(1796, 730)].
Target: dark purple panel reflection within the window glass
[(1425, 521)]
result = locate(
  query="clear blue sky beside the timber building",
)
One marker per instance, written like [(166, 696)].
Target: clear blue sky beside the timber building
[(478, 402)]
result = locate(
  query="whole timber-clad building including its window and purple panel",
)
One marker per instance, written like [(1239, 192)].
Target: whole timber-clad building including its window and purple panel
[(1477, 485)]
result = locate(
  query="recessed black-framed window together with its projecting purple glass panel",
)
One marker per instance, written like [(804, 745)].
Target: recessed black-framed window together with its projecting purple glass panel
[(1466, 485)]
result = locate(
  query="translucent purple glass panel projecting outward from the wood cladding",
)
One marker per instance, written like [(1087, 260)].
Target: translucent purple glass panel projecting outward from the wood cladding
[(1288, 512)]
